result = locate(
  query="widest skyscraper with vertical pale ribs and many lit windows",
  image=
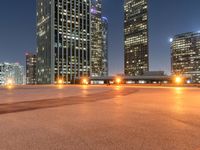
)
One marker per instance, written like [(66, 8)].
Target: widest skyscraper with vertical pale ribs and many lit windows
[(63, 40)]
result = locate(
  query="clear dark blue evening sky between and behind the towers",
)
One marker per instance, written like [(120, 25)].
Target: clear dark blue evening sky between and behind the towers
[(166, 18)]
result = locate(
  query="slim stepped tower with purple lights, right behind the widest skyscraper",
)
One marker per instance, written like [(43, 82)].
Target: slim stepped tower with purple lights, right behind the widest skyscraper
[(99, 45)]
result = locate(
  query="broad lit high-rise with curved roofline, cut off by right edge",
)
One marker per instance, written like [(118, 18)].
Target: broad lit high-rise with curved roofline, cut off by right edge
[(185, 55)]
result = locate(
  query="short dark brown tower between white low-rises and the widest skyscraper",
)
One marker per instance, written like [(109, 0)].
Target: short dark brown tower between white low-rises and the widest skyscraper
[(31, 60)]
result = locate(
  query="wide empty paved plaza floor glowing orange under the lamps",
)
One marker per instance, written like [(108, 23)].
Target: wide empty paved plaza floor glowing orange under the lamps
[(99, 118)]
